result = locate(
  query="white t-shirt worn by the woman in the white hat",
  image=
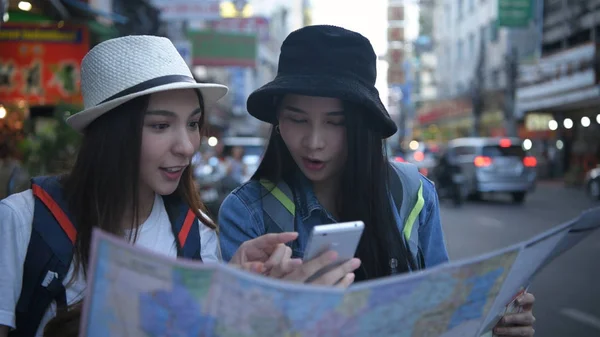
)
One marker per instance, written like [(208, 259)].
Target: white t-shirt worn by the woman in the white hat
[(16, 218)]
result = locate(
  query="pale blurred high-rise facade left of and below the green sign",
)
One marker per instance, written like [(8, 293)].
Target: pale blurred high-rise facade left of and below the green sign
[(467, 33)]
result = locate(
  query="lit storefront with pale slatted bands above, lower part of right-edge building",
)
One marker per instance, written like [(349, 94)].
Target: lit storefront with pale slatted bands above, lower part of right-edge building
[(557, 102)]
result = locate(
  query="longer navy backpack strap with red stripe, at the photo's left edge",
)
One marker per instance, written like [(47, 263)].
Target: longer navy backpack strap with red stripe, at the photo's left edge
[(48, 258)]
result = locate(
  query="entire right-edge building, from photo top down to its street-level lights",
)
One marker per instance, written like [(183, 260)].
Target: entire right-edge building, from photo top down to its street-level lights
[(559, 94)]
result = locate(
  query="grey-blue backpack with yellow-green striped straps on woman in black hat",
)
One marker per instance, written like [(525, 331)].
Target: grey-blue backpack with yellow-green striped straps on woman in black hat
[(407, 192)]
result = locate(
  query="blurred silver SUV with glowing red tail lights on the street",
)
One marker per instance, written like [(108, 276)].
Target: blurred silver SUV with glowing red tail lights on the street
[(495, 165)]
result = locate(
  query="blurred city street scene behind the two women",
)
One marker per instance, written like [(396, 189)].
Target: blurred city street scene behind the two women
[(528, 70)]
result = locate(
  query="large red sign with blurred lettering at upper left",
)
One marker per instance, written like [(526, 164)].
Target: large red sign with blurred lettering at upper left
[(40, 64)]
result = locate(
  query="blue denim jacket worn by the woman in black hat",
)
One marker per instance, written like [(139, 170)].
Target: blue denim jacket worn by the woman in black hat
[(241, 219)]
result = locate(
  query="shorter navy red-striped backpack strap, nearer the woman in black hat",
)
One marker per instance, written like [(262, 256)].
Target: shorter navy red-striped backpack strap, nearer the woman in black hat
[(186, 228)]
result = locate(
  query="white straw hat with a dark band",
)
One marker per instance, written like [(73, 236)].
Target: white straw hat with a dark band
[(119, 70)]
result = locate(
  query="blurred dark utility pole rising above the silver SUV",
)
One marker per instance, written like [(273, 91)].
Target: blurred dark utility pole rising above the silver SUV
[(511, 68)]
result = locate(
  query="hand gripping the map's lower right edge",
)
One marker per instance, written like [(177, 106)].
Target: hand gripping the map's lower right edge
[(520, 323)]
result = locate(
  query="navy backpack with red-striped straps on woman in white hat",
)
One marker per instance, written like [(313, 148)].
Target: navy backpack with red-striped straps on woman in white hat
[(51, 246)]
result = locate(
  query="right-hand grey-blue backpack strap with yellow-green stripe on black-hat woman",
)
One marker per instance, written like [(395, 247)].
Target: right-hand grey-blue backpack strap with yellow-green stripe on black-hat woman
[(407, 191)]
